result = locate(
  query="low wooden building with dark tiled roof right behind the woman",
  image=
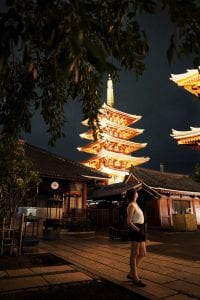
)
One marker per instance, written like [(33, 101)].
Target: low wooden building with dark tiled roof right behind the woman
[(165, 197)]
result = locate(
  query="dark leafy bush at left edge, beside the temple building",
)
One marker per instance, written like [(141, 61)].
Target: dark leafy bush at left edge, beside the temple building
[(17, 177)]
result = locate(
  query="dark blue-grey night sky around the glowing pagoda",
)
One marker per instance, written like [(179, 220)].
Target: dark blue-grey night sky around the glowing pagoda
[(162, 104)]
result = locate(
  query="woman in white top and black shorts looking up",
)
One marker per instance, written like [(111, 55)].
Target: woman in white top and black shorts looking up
[(136, 231)]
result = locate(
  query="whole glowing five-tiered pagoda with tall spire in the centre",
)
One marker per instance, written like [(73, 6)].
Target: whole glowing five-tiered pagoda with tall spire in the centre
[(111, 151)]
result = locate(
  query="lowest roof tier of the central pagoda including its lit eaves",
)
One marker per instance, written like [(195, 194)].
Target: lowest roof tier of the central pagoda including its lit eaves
[(115, 159)]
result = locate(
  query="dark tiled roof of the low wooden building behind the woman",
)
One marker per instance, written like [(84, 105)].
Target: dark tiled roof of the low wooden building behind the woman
[(155, 182)]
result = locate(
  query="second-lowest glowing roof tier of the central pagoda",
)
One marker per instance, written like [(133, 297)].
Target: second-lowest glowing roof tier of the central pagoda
[(112, 144)]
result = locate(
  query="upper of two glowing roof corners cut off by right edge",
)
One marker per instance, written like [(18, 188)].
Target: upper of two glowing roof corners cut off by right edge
[(189, 80)]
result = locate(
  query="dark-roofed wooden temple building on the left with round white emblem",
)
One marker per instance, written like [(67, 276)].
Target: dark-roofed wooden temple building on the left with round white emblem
[(64, 183)]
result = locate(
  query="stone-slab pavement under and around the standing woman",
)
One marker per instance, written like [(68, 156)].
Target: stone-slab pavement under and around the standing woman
[(96, 256)]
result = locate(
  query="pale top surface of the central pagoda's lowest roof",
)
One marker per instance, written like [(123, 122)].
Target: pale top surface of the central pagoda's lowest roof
[(130, 160)]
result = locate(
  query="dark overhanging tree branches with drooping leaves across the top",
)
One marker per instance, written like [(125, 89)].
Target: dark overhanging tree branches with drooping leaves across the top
[(55, 51)]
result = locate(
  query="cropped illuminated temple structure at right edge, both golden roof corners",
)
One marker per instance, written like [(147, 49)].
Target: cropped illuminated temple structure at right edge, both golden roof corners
[(191, 82)]
